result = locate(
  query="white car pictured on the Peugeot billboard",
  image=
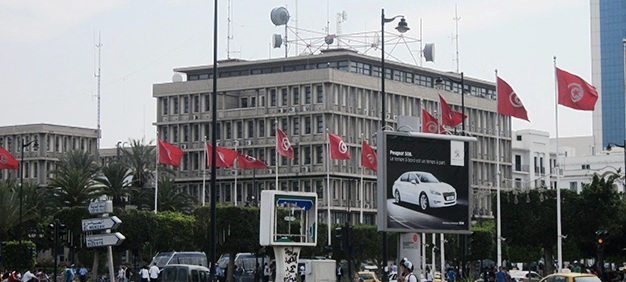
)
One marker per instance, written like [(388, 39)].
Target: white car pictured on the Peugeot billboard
[(423, 189)]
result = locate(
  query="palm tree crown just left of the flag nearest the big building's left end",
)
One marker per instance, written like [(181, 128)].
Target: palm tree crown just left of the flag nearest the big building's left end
[(140, 159)]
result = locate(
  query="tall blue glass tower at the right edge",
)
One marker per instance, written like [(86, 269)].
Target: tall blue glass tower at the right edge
[(608, 31)]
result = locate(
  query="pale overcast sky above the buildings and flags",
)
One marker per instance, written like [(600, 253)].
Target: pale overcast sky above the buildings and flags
[(49, 59)]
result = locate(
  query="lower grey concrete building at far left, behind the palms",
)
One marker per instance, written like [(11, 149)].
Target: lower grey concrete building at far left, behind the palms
[(41, 157)]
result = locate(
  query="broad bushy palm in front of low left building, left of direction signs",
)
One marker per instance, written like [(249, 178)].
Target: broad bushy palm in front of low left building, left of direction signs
[(73, 182)]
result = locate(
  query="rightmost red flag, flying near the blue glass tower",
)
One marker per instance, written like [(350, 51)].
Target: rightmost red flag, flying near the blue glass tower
[(575, 92)]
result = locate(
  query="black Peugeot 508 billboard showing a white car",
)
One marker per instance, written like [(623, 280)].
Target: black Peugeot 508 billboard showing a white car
[(423, 182)]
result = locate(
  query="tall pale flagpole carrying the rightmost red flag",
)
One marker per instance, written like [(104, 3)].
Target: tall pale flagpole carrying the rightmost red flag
[(559, 238)]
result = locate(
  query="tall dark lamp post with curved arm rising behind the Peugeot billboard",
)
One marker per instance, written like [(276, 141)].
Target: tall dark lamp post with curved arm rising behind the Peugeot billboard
[(402, 28)]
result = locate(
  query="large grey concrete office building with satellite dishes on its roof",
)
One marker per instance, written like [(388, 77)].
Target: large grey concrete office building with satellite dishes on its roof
[(337, 91)]
